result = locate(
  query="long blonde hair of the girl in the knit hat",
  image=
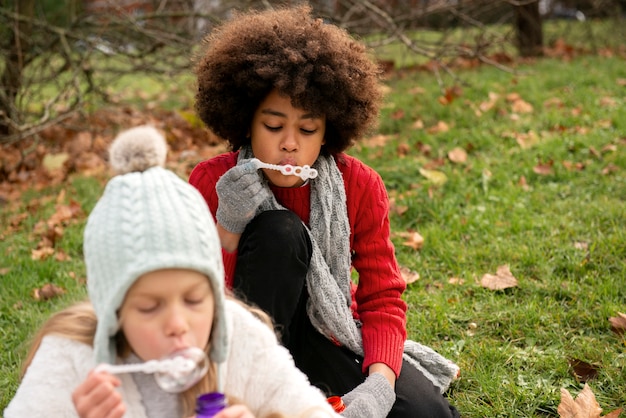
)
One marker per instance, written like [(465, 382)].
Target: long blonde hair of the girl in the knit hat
[(78, 322)]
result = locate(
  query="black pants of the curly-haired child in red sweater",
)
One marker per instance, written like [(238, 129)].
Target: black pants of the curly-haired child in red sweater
[(273, 259)]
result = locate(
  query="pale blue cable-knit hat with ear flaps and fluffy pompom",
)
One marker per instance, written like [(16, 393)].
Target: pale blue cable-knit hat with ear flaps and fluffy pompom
[(147, 219)]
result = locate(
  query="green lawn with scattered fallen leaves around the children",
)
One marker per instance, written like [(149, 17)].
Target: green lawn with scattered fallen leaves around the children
[(562, 234)]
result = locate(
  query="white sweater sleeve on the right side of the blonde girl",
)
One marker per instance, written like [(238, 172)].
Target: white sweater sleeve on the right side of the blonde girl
[(261, 373)]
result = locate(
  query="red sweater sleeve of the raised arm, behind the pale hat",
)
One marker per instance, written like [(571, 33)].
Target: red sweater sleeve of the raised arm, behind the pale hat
[(204, 177)]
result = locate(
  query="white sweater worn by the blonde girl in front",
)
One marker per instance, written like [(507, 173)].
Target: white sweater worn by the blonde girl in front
[(257, 371)]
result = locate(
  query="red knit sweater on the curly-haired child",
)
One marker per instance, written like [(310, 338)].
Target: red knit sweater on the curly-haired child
[(377, 300)]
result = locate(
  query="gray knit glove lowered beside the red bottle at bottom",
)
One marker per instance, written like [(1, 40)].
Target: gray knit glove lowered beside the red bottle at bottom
[(371, 399)]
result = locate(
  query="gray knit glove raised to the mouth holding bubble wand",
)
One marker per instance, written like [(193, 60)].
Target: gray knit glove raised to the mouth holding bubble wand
[(240, 192)]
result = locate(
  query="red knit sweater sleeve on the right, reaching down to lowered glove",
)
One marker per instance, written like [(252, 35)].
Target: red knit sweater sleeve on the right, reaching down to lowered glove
[(378, 296)]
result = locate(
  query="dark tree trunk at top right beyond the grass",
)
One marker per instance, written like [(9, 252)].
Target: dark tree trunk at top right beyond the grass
[(529, 30)]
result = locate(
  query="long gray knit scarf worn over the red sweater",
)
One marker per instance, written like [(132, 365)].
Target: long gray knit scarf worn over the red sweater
[(328, 280)]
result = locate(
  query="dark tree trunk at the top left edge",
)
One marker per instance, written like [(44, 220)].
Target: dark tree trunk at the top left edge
[(11, 79)]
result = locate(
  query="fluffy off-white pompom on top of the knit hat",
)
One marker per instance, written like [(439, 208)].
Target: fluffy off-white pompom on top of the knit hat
[(137, 149)]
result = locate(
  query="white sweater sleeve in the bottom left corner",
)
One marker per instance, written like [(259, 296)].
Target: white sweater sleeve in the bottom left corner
[(57, 368)]
